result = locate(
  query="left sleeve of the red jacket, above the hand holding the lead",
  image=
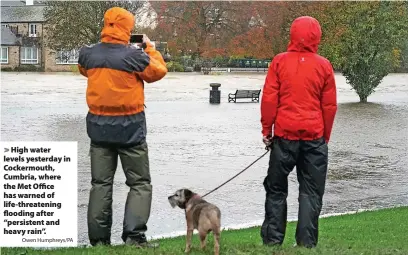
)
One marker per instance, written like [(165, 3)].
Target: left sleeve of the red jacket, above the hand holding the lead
[(270, 98)]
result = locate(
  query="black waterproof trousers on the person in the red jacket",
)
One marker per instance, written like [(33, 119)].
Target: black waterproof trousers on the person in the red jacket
[(310, 159)]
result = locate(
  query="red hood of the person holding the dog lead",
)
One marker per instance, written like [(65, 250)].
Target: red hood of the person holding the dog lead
[(305, 35)]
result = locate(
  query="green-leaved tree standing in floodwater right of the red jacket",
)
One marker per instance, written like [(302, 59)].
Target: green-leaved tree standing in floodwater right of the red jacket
[(366, 41)]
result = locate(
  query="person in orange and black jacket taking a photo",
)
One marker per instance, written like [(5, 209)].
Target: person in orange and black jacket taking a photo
[(116, 125)]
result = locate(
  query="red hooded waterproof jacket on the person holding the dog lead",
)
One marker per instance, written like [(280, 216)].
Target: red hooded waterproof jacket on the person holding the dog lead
[(299, 96)]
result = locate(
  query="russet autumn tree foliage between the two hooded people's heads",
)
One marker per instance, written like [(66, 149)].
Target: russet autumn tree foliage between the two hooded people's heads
[(226, 28)]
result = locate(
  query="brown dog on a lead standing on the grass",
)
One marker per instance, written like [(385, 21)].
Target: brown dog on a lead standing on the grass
[(200, 215)]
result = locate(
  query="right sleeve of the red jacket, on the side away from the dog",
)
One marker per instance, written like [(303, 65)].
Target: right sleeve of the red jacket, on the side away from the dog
[(329, 103)]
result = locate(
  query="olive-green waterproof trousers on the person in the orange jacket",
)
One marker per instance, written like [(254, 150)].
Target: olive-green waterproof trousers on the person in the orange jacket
[(135, 164)]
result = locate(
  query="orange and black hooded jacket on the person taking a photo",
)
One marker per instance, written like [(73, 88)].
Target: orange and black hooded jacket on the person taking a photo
[(116, 73)]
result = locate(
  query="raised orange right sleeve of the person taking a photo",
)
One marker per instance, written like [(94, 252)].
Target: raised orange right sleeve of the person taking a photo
[(156, 69)]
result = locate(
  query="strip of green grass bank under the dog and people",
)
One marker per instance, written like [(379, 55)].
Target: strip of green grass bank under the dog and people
[(375, 232)]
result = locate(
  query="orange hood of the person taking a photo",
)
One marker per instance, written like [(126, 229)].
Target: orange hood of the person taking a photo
[(118, 24)]
